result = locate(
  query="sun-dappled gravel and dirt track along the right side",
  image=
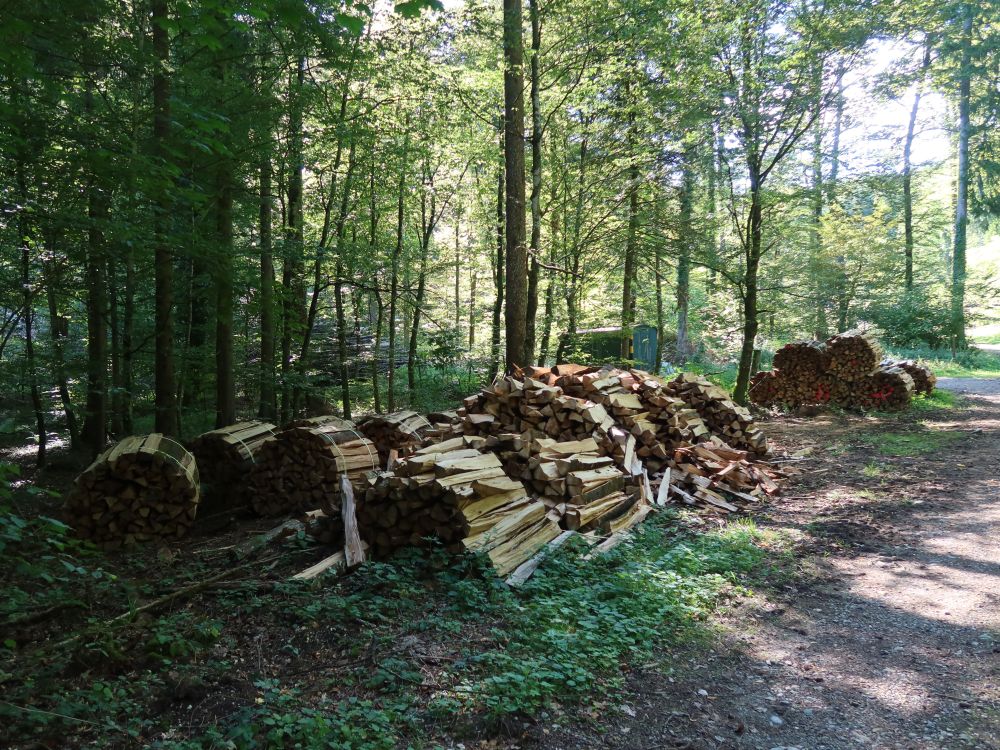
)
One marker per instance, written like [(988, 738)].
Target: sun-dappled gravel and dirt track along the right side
[(887, 636)]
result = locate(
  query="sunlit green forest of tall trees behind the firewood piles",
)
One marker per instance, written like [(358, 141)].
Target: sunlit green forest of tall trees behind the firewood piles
[(226, 209)]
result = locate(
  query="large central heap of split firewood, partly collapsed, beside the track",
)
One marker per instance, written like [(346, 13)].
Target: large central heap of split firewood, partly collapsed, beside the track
[(571, 448)]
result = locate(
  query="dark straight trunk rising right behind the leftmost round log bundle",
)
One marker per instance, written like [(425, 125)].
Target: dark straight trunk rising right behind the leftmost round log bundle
[(165, 388)]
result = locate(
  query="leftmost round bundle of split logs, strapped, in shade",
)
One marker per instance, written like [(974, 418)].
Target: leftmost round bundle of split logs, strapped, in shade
[(143, 488)]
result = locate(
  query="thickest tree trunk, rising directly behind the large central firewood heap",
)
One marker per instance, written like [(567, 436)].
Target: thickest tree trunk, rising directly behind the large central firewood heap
[(517, 255)]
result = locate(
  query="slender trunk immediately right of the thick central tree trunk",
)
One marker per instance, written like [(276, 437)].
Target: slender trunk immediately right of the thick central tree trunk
[(536, 183)]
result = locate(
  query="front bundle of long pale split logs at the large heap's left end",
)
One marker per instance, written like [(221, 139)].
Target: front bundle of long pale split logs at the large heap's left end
[(459, 496)]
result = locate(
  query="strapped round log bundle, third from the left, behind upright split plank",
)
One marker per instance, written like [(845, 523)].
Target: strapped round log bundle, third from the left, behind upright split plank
[(300, 467)]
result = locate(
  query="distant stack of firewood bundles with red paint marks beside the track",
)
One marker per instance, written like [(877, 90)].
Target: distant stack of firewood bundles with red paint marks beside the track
[(846, 370)]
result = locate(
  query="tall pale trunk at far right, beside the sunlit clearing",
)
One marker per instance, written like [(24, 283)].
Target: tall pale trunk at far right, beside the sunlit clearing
[(962, 186)]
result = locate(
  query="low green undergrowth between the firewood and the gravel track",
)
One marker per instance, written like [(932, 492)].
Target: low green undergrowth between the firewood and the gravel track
[(397, 654)]
